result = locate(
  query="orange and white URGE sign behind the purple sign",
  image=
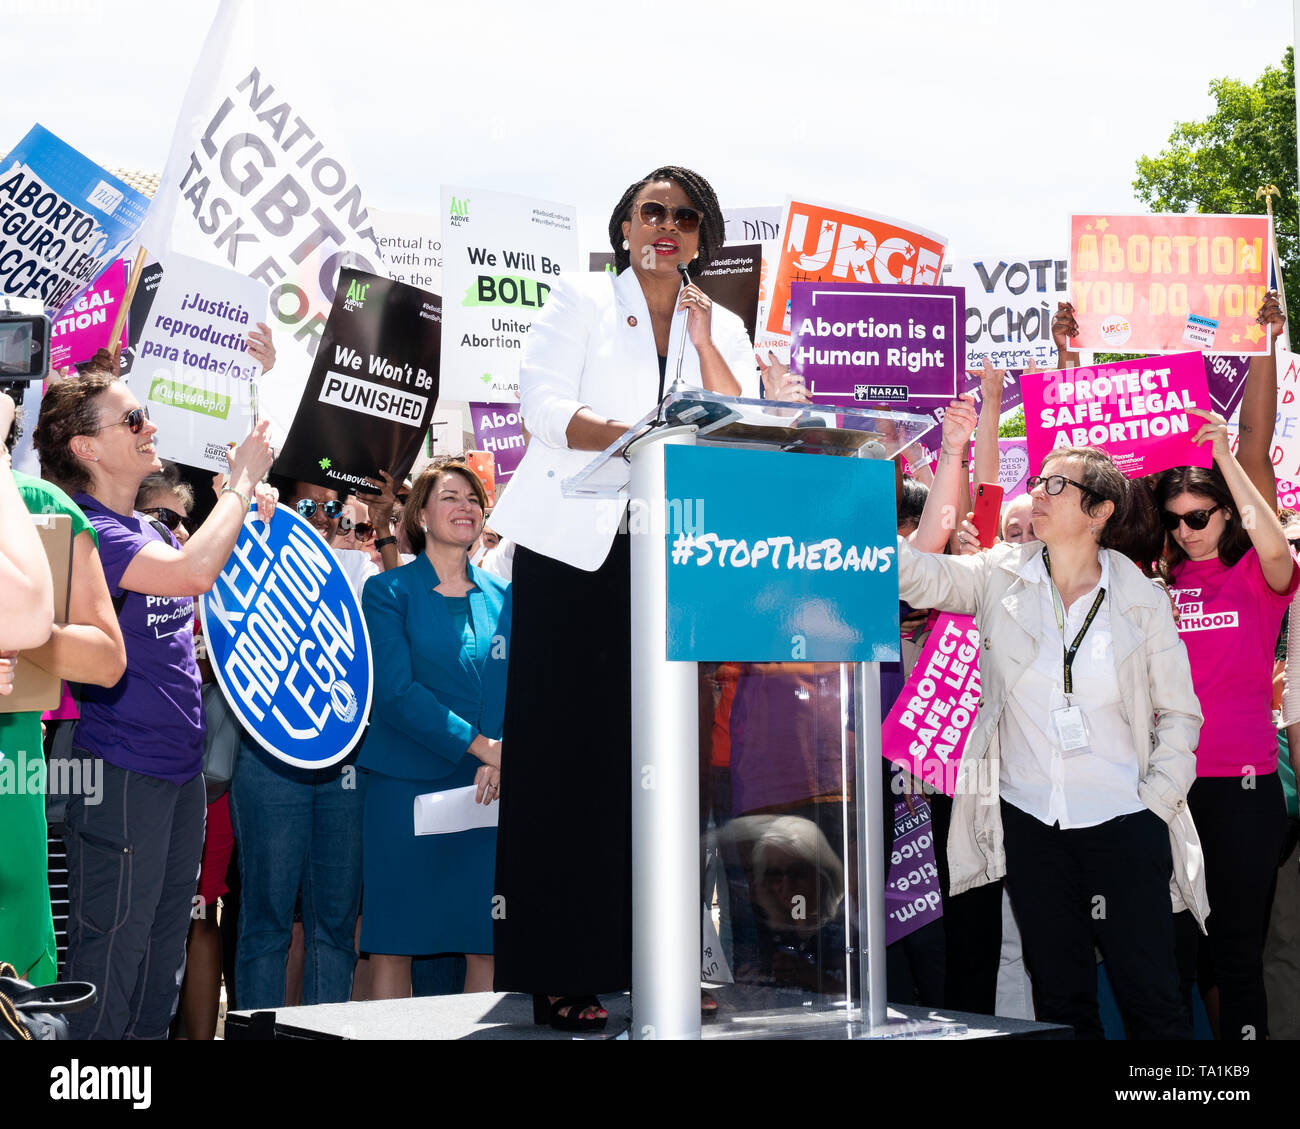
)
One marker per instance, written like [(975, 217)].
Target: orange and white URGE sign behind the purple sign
[(829, 244)]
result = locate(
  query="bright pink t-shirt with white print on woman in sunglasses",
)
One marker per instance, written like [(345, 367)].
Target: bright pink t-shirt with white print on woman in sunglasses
[(1229, 620)]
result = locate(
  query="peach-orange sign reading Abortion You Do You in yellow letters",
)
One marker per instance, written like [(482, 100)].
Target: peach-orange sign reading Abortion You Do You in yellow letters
[(1158, 284)]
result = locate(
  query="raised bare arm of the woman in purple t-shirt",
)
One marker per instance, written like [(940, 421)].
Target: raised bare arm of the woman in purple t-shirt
[(161, 570)]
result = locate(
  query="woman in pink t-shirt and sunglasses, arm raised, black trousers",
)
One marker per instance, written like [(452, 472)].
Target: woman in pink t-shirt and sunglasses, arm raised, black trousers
[(1233, 577)]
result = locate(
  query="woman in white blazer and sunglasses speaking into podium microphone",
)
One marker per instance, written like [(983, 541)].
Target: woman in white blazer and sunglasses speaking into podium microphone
[(599, 358)]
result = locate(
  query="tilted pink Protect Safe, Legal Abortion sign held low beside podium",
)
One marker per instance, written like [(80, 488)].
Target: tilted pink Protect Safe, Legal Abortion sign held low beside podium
[(928, 728)]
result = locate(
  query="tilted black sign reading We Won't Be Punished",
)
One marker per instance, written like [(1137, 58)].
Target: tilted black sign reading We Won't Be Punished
[(372, 388)]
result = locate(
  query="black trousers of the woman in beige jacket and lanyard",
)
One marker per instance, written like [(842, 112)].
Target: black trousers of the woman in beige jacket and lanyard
[(1104, 886)]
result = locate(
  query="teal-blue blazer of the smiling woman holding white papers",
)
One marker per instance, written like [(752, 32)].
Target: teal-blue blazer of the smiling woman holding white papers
[(431, 699)]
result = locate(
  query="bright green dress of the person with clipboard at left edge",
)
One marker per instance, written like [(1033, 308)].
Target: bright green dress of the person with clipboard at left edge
[(27, 925)]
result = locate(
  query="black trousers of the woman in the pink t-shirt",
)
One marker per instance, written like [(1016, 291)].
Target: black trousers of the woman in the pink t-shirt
[(1242, 824)]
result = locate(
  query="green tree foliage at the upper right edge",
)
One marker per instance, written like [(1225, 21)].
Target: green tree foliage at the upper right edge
[(1217, 165)]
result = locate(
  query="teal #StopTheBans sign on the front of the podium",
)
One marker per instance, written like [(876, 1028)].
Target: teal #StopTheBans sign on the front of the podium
[(781, 557)]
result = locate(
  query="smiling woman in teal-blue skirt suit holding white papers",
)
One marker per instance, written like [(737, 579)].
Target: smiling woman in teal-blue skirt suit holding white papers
[(440, 633)]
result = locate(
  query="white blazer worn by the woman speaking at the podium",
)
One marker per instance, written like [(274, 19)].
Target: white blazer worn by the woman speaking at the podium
[(593, 347)]
